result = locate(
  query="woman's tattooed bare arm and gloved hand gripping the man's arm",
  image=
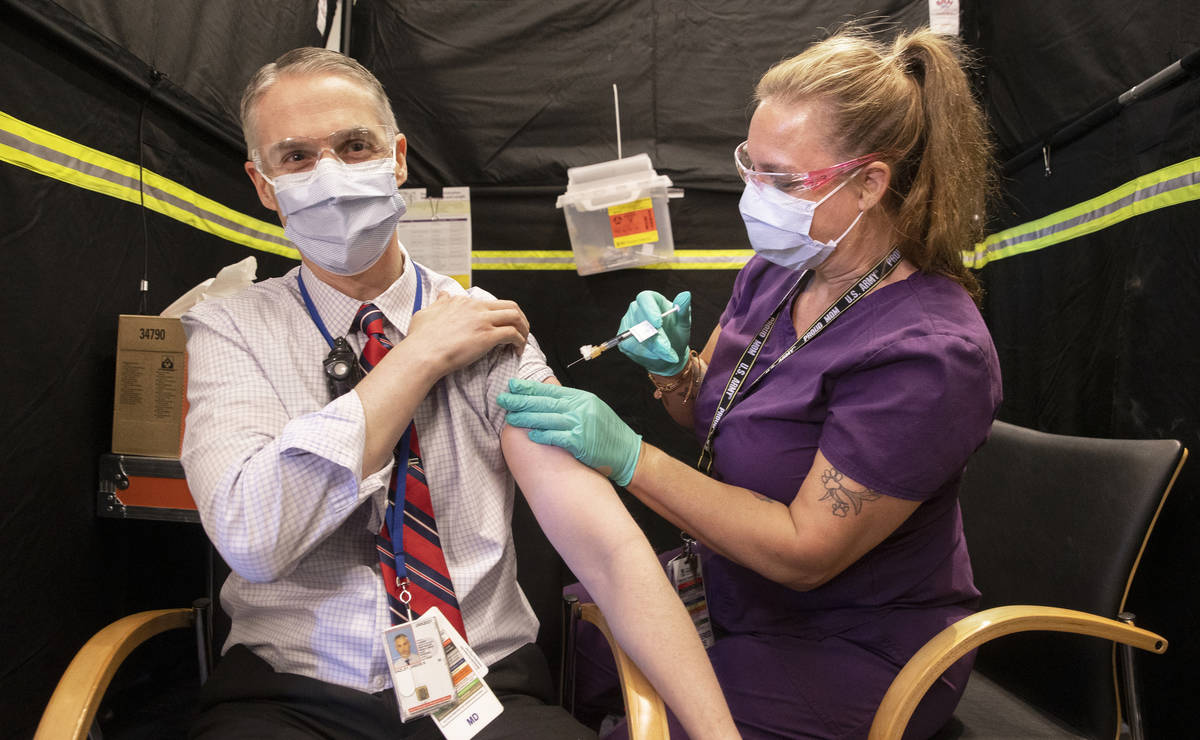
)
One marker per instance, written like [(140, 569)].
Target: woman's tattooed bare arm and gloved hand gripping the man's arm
[(797, 545)]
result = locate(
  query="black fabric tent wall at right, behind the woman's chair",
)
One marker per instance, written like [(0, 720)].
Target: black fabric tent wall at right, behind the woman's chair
[(1099, 336)]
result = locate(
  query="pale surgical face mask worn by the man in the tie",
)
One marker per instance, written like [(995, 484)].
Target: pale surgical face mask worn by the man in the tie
[(341, 216)]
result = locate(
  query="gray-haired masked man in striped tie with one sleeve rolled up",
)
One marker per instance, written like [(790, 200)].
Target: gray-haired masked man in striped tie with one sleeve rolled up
[(351, 465)]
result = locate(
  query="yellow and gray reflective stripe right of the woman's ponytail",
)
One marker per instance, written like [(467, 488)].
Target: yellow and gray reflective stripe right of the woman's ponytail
[(1157, 190)]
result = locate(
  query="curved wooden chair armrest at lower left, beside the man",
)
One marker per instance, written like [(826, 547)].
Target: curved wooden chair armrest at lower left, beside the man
[(77, 697)]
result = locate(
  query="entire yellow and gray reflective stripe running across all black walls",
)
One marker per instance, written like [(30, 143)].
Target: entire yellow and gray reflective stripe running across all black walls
[(51, 155)]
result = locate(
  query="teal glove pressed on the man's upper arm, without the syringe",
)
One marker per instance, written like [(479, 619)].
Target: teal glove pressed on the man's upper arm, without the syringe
[(577, 422)]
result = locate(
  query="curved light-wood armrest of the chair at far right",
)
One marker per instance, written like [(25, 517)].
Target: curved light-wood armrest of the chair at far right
[(956, 641)]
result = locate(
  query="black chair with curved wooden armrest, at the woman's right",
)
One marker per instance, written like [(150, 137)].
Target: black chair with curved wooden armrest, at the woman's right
[(1057, 526)]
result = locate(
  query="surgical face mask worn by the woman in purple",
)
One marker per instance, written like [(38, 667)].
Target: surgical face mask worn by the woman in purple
[(778, 226)]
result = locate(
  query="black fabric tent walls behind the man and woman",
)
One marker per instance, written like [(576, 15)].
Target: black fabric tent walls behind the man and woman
[(1097, 335)]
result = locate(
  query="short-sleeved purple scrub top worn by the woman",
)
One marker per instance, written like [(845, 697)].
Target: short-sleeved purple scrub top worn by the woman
[(897, 393)]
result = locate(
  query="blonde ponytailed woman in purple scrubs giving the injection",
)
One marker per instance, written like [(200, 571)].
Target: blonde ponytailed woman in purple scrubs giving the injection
[(839, 399)]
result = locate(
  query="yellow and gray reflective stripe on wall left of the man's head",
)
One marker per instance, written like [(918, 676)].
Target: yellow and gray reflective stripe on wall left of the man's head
[(51, 155)]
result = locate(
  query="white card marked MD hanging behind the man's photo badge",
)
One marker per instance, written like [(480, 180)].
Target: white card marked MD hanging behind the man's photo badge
[(476, 703)]
